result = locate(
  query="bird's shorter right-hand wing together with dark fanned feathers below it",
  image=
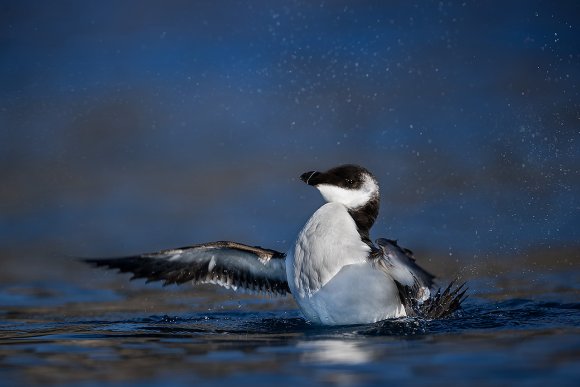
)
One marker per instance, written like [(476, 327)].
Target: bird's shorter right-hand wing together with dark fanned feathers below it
[(415, 283)]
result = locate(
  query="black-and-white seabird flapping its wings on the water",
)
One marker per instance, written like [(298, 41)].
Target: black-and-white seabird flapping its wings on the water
[(335, 273)]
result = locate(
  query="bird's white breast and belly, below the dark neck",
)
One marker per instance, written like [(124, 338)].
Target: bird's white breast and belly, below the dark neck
[(330, 277)]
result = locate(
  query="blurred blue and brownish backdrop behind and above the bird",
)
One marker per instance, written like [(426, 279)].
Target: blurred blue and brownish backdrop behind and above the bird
[(129, 127)]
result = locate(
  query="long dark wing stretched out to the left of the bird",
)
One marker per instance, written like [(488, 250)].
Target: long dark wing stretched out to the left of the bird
[(228, 264)]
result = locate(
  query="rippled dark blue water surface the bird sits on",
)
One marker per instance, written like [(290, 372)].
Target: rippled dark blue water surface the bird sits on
[(102, 330)]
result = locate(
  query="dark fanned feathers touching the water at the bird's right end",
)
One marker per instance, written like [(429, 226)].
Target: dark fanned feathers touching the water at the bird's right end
[(441, 304)]
